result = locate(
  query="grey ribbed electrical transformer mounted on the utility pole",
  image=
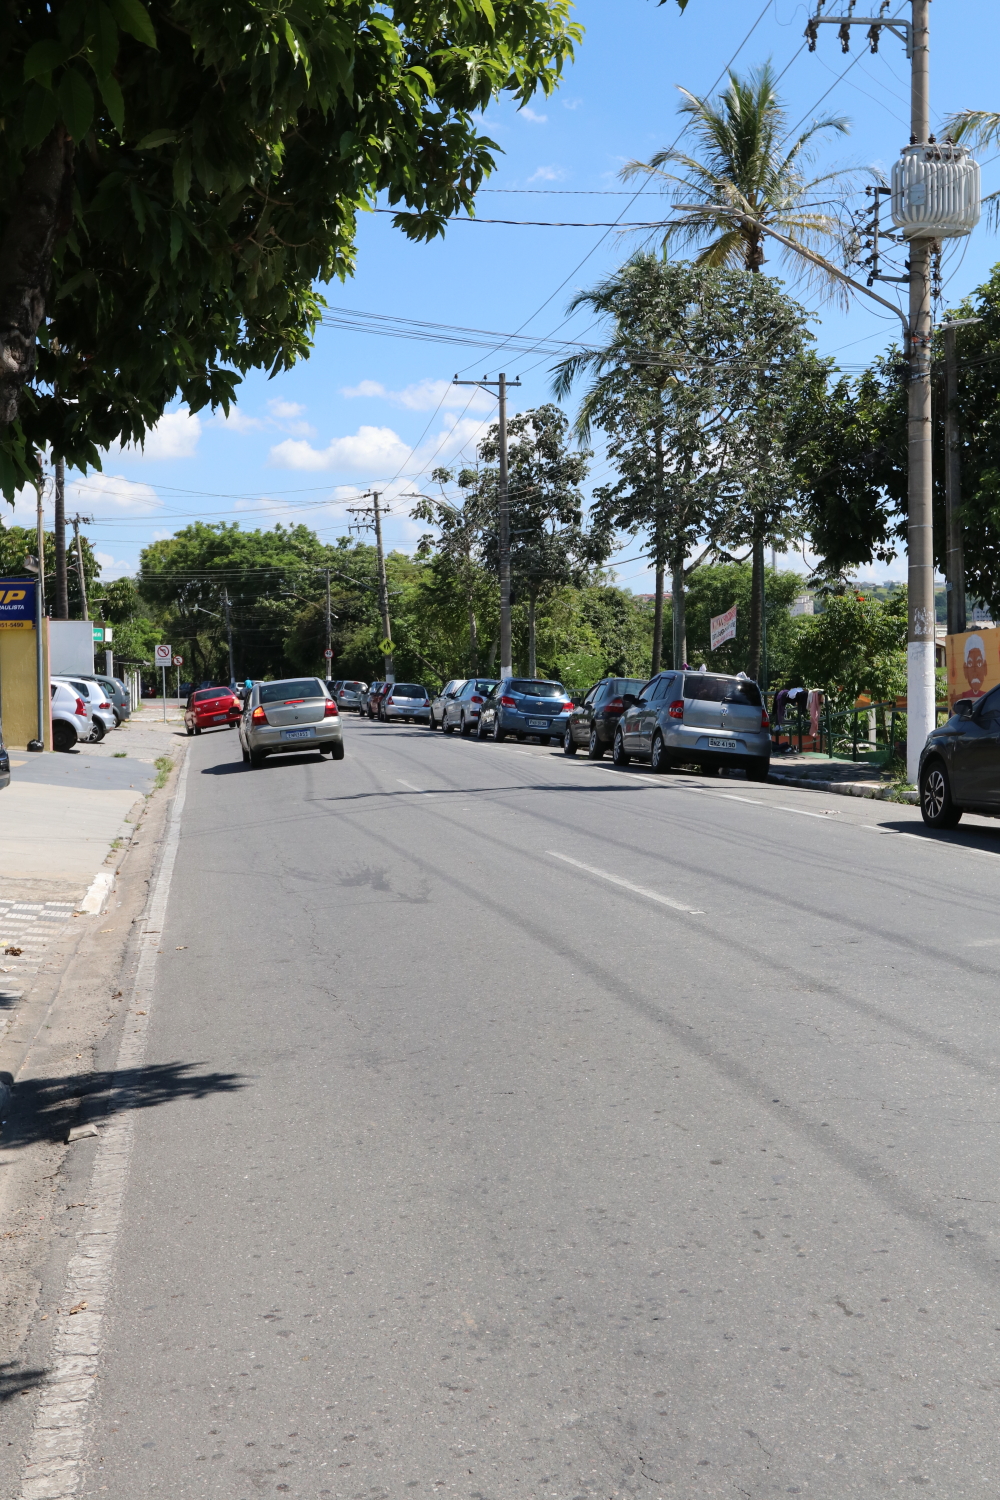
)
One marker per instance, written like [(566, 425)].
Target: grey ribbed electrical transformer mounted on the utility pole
[(936, 193)]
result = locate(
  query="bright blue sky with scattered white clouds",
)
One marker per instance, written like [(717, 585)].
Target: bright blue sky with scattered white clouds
[(376, 412)]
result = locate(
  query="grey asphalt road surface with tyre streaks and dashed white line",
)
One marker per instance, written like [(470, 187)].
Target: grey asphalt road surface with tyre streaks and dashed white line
[(563, 1133)]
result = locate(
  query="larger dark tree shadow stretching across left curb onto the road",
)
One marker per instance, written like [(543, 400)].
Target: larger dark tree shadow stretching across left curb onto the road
[(47, 1109)]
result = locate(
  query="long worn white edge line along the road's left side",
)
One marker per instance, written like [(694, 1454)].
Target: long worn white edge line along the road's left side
[(61, 1435)]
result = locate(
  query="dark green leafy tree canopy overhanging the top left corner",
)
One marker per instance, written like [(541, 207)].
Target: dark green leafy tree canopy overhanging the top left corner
[(176, 178)]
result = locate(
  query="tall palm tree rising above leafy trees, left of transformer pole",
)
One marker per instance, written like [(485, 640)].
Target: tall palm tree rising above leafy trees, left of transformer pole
[(744, 178)]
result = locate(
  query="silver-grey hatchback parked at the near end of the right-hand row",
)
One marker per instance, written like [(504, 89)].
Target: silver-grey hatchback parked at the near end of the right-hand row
[(704, 719)]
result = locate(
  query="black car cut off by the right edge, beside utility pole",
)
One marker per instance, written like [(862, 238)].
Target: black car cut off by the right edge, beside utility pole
[(960, 764)]
